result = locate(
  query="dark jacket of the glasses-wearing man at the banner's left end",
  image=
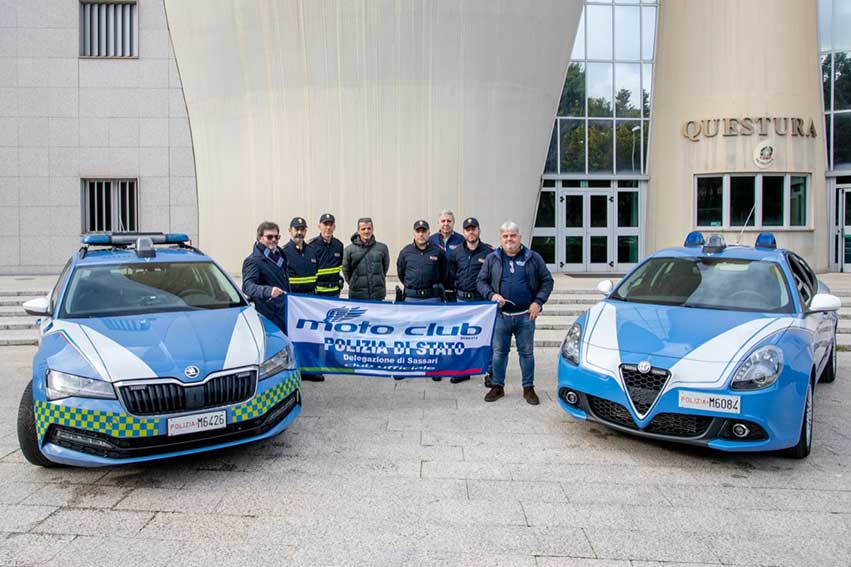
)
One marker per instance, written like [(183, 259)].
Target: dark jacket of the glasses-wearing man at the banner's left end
[(259, 275)]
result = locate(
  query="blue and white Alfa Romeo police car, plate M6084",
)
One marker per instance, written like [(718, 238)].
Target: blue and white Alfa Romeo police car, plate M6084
[(707, 344)]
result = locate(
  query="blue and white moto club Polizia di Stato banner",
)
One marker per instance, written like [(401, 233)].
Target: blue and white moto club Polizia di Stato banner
[(341, 336)]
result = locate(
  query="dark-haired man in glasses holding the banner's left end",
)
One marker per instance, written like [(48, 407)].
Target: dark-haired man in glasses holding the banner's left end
[(264, 275)]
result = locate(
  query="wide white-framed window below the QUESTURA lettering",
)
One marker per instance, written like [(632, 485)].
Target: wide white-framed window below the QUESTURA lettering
[(737, 201)]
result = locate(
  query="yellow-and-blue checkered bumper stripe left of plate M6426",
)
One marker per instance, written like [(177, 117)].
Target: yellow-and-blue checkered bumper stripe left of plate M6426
[(109, 423)]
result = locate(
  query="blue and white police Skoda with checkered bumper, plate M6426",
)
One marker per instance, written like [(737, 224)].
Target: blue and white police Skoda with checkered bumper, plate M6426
[(149, 351)]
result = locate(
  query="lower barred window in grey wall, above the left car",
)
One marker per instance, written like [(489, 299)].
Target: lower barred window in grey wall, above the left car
[(110, 205)]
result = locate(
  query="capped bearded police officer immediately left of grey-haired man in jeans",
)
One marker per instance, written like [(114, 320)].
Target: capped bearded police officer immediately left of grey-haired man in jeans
[(465, 262)]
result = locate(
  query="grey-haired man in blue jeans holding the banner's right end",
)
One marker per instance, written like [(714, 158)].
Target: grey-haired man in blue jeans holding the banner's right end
[(518, 279)]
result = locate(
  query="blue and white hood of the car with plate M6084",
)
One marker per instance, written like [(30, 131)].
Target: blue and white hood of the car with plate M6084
[(696, 345)]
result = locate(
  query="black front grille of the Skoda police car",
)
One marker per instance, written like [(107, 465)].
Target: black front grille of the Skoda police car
[(169, 397)]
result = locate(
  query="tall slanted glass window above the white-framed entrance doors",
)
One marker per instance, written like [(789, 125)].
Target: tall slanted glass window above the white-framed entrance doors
[(603, 117)]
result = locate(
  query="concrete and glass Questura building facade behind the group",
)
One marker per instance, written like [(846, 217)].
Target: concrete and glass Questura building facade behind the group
[(606, 128)]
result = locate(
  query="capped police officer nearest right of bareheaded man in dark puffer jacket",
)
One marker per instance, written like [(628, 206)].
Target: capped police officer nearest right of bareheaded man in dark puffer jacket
[(422, 269)]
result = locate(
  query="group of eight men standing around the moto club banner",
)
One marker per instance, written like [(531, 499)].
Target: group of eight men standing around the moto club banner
[(442, 267)]
